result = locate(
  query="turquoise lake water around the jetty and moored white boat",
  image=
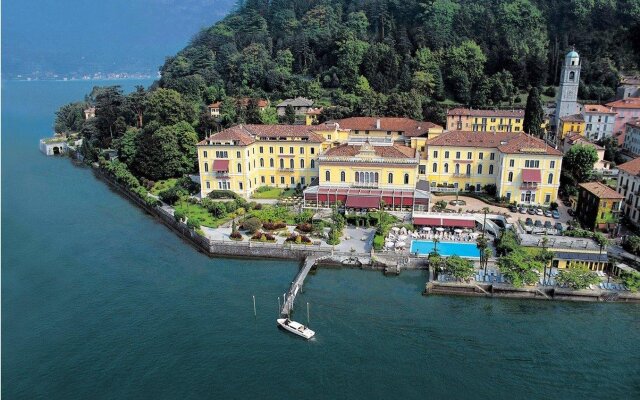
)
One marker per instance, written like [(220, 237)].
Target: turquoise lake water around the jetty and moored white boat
[(99, 301)]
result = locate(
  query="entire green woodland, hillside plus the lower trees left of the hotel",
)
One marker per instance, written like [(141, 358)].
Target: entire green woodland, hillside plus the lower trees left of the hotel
[(356, 57)]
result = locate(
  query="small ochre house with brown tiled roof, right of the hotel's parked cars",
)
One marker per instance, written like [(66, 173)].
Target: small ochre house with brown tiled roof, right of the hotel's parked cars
[(598, 206)]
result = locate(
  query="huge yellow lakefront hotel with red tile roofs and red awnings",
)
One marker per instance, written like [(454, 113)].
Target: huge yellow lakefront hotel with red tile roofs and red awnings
[(394, 159)]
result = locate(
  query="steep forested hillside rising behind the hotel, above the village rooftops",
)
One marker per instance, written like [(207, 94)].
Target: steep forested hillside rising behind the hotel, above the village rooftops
[(358, 52)]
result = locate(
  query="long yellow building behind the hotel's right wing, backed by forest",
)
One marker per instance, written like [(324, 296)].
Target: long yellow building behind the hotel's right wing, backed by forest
[(468, 119)]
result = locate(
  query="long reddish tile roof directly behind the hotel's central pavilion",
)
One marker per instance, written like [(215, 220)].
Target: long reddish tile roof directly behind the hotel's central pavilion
[(408, 126)]
